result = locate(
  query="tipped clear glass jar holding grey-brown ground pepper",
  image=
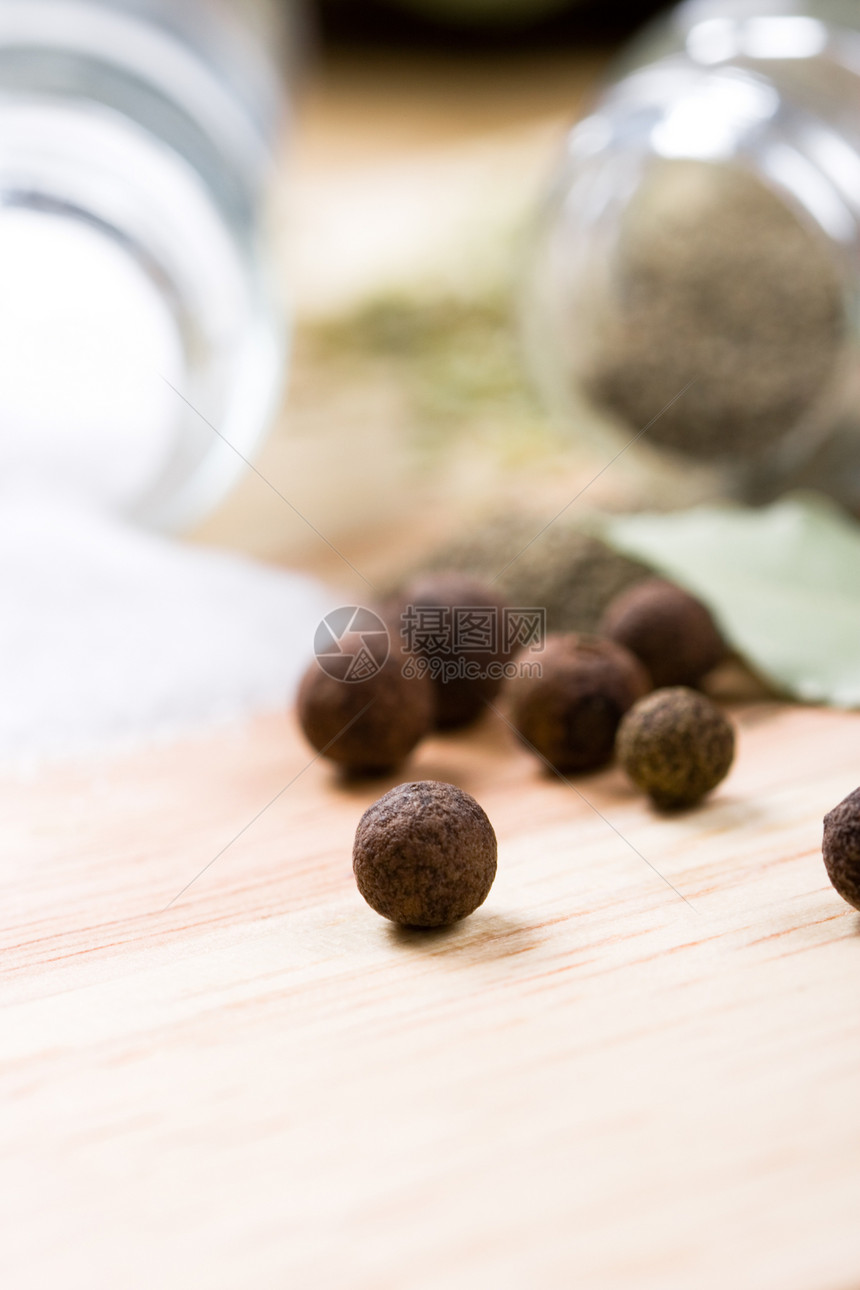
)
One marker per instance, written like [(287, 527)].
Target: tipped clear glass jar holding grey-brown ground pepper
[(696, 270)]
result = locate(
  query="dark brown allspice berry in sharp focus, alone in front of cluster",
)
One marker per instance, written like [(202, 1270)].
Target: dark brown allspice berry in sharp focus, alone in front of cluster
[(425, 855)]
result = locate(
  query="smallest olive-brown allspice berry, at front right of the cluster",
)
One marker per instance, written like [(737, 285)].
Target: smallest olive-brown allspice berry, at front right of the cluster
[(678, 746)]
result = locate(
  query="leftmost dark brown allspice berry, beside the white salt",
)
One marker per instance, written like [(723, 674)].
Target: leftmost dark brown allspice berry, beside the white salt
[(366, 727)]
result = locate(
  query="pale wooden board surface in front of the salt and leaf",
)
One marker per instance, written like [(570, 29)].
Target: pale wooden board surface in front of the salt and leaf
[(590, 1083)]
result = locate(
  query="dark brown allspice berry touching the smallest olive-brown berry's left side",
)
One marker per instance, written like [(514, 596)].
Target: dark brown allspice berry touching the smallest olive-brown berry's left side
[(571, 713)]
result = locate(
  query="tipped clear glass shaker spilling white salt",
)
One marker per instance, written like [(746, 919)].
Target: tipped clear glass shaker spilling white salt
[(136, 141)]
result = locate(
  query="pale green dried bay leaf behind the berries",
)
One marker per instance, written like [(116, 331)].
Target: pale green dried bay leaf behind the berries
[(783, 581)]
